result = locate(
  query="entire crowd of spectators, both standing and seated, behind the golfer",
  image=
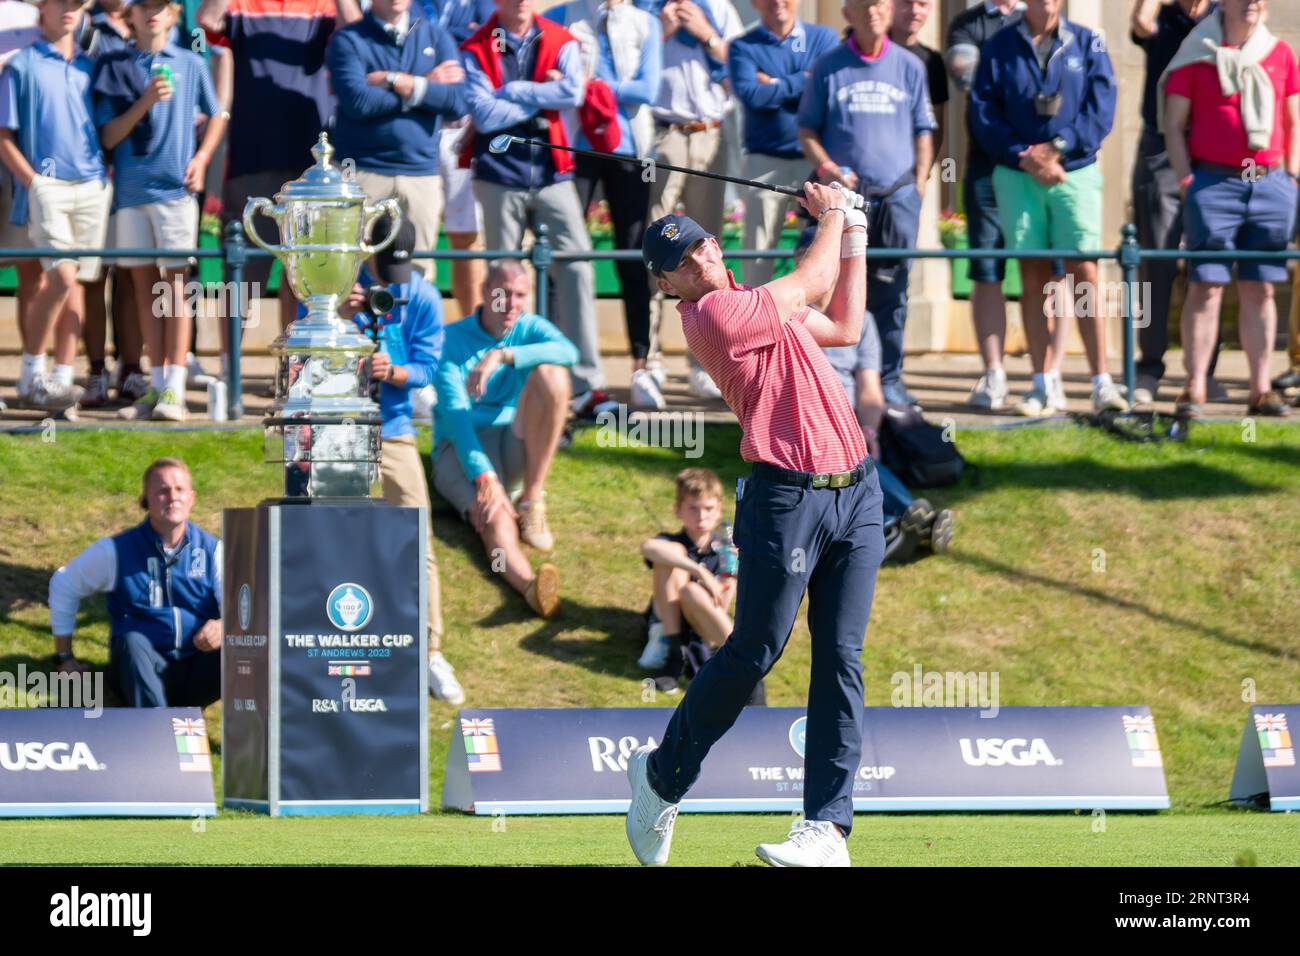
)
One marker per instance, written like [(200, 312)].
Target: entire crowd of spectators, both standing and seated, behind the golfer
[(107, 110)]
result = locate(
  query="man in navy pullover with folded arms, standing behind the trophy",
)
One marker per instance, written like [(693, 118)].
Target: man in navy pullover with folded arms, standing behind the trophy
[(397, 75)]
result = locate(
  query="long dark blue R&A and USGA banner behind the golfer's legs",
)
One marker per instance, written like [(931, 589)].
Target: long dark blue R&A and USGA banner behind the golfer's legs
[(913, 759)]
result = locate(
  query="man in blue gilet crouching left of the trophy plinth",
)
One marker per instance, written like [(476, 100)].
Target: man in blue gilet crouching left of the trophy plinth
[(163, 579)]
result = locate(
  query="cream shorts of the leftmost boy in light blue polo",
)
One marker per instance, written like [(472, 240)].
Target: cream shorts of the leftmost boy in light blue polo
[(70, 215)]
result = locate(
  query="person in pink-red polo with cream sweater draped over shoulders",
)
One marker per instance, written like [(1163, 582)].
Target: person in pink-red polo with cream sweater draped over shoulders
[(1237, 159)]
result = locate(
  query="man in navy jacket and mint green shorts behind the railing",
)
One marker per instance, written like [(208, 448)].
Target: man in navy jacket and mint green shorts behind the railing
[(1045, 101)]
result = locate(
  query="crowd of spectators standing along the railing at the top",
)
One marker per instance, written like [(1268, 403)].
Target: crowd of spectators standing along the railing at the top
[(120, 107)]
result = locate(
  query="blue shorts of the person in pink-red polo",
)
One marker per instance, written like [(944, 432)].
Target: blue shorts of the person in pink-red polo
[(1228, 213)]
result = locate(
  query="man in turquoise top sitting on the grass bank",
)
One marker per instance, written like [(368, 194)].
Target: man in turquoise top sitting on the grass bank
[(504, 392)]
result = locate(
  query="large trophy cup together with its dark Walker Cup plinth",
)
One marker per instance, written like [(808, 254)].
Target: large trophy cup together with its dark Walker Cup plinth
[(324, 668)]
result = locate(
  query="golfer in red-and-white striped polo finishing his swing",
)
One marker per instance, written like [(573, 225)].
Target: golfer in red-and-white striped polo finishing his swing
[(808, 520)]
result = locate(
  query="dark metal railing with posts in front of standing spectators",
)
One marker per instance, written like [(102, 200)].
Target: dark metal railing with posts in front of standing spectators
[(236, 252)]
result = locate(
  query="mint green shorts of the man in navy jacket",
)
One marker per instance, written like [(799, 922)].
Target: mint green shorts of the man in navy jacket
[(1065, 217)]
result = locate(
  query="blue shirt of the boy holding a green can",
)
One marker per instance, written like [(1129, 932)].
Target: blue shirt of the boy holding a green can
[(149, 165)]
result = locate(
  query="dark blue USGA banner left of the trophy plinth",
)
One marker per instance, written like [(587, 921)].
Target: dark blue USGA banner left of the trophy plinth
[(123, 763)]
